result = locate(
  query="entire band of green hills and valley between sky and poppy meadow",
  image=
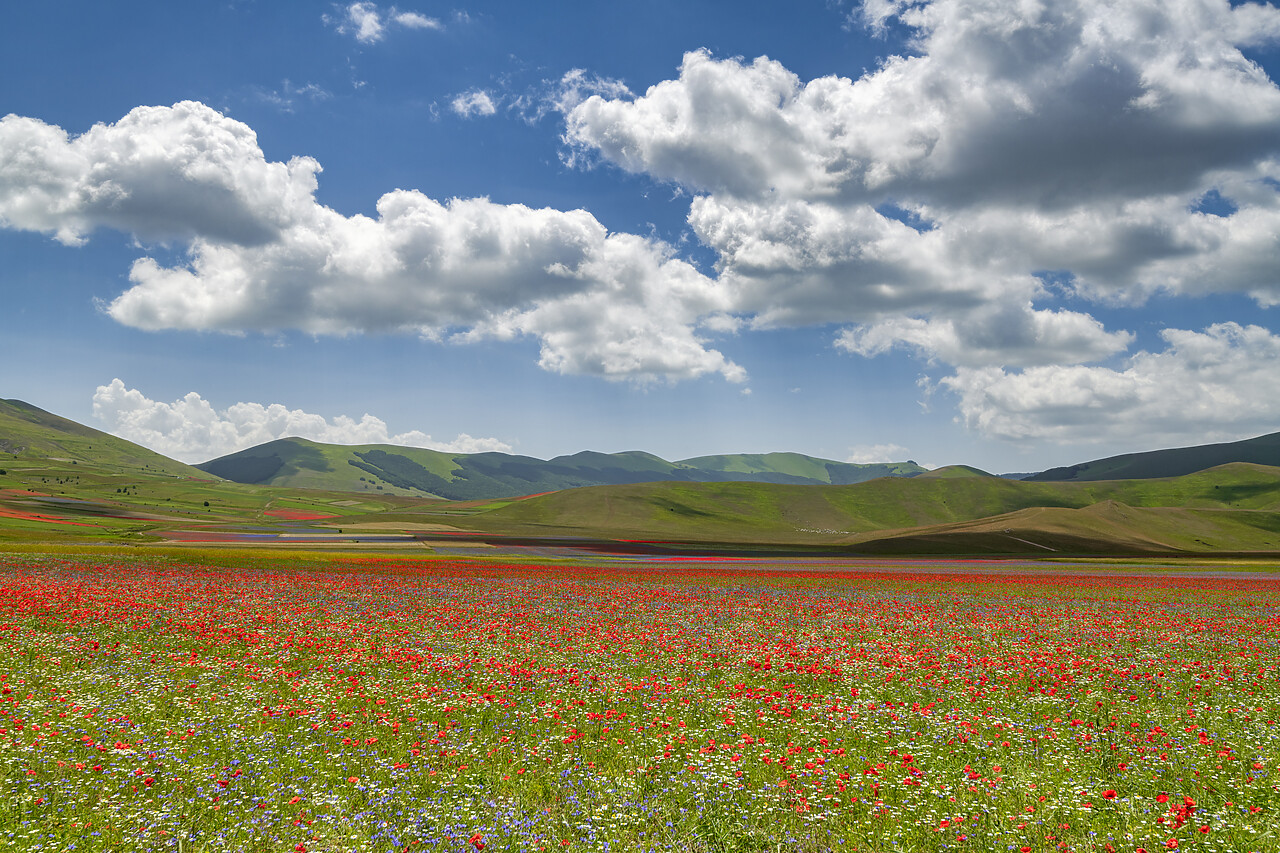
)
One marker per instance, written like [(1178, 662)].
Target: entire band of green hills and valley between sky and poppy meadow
[(62, 481)]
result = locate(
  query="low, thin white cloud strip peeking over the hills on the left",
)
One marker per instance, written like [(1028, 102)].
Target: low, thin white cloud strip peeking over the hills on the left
[(190, 430)]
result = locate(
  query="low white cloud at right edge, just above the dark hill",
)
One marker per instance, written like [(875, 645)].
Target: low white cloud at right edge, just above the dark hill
[(1218, 385)]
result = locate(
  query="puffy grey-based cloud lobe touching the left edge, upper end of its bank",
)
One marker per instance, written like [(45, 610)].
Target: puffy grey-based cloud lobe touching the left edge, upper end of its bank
[(180, 172)]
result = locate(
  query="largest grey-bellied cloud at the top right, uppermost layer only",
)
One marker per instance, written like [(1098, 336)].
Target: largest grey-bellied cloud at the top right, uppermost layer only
[(993, 108)]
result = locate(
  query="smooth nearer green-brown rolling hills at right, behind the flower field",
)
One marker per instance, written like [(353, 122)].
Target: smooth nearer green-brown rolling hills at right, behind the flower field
[(1233, 504)]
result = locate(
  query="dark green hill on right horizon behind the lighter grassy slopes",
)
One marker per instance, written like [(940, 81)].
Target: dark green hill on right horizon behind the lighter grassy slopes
[(1264, 450)]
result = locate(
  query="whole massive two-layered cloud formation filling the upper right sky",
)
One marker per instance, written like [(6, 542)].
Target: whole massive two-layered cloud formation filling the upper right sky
[(926, 198)]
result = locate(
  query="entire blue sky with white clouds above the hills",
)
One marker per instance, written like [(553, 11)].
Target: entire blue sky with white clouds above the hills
[(1004, 234)]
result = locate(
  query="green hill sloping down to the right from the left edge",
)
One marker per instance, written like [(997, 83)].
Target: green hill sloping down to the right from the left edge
[(31, 436)]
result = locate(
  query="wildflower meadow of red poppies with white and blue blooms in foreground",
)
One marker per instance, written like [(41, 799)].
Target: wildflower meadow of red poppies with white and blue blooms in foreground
[(465, 706)]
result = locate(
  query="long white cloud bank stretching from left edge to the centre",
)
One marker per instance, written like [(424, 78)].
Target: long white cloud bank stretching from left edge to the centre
[(264, 256)]
